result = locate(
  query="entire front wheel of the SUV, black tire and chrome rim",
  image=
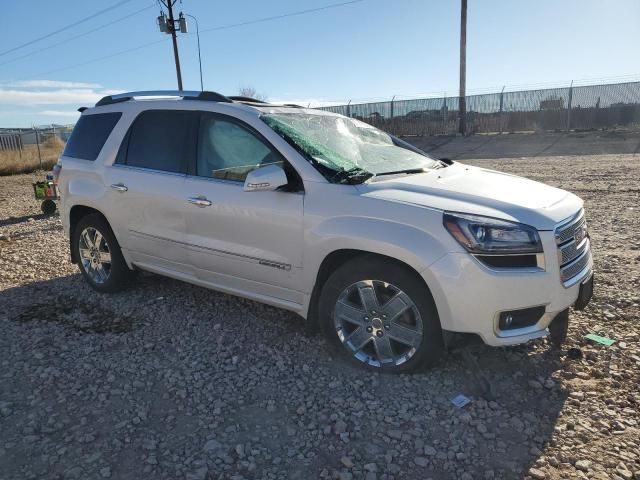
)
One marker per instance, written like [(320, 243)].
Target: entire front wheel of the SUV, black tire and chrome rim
[(382, 315)]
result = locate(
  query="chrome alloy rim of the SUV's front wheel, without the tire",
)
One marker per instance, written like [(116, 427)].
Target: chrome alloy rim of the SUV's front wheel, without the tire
[(378, 323)]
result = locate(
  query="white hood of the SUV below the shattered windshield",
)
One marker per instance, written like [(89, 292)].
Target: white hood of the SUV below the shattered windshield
[(468, 189)]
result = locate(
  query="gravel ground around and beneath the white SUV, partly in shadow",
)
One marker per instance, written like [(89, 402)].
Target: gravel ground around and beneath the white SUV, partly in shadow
[(172, 381)]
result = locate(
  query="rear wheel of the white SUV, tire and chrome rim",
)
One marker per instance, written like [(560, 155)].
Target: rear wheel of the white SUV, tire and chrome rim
[(99, 256)]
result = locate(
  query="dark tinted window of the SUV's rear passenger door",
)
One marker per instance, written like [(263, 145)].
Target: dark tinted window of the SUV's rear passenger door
[(161, 140)]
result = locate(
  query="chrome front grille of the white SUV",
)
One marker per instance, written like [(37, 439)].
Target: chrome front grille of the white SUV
[(574, 252)]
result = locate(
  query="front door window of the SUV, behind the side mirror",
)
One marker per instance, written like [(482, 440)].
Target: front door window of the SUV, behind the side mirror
[(229, 151)]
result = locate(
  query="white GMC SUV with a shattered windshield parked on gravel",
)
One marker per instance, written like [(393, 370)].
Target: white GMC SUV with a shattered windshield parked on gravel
[(389, 251)]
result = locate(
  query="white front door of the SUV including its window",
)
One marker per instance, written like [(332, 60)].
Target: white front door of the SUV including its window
[(245, 242)]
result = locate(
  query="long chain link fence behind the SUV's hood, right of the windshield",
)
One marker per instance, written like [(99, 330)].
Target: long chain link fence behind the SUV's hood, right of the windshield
[(553, 109)]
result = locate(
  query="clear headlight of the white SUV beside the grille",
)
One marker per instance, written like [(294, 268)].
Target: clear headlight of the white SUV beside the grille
[(486, 235)]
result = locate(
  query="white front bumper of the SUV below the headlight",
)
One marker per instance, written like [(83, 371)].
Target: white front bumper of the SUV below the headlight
[(470, 296)]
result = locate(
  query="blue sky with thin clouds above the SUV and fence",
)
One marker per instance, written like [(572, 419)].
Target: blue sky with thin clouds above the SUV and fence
[(370, 49)]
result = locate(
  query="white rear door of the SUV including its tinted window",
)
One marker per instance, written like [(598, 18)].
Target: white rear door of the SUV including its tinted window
[(147, 188)]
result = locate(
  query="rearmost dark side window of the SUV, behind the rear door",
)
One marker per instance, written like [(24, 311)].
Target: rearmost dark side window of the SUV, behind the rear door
[(89, 135)]
